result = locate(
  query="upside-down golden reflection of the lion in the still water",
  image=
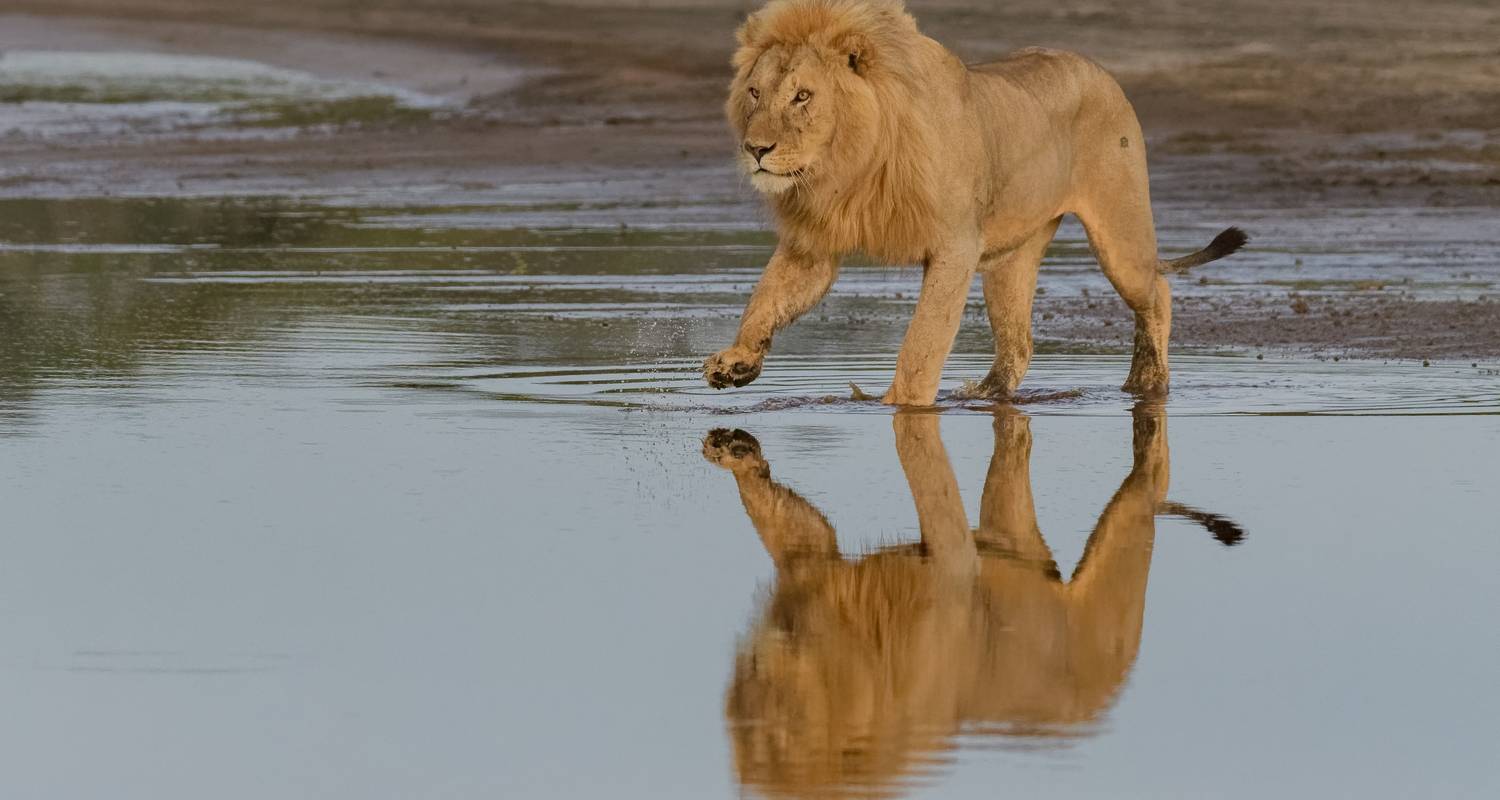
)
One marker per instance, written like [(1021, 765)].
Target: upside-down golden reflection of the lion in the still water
[(860, 673)]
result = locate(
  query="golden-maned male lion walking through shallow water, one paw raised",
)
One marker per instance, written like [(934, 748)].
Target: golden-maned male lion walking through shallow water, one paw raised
[(868, 136)]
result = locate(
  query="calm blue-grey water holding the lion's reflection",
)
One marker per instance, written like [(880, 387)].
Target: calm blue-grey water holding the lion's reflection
[(331, 501)]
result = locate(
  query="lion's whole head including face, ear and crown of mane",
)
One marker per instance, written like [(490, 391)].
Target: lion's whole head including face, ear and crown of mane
[(812, 89)]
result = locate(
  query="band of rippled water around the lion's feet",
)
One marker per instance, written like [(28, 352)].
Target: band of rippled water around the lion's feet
[(1057, 385)]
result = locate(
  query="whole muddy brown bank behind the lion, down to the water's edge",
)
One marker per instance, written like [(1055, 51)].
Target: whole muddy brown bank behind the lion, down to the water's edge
[(1372, 163)]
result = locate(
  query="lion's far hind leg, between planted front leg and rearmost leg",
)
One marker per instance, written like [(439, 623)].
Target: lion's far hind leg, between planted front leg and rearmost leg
[(1010, 284)]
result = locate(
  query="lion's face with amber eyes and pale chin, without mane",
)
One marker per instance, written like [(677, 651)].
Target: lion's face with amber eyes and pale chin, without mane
[(787, 109)]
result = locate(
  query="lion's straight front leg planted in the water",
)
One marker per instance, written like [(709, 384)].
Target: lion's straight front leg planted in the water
[(929, 338)]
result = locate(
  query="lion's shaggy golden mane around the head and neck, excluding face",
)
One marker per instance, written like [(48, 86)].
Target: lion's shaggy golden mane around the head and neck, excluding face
[(877, 188)]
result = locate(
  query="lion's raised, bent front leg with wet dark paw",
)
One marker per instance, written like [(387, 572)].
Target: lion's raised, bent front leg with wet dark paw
[(788, 289)]
